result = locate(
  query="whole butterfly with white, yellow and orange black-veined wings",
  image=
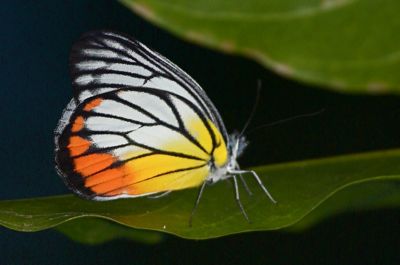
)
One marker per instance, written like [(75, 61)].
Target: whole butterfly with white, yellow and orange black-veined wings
[(138, 125)]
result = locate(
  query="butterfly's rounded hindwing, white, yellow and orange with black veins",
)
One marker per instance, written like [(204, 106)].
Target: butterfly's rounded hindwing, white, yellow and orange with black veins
[(123, 144)]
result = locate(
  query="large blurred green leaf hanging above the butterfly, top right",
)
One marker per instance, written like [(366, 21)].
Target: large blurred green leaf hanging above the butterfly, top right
[(348, 45)]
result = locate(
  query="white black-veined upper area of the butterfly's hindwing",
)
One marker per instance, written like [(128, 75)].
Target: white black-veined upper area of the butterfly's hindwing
[(149, 122)]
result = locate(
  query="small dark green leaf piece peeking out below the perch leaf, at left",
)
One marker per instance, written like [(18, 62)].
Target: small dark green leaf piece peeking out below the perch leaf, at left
[(94, 231)]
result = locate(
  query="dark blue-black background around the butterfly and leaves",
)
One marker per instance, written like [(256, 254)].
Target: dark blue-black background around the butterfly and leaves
[(35, 40)]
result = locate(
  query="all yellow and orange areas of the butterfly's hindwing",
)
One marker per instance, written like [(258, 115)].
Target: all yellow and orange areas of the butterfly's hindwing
[(142, 171)]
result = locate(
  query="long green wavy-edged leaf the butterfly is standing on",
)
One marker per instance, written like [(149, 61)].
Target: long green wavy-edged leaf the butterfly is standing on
[(299, 188)]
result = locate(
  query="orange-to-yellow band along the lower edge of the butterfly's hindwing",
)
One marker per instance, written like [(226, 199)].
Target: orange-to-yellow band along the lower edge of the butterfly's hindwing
[(139, 176)]
